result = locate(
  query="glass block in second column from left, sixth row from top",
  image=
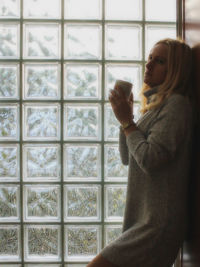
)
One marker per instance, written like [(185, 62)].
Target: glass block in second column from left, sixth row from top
[(42, 203)]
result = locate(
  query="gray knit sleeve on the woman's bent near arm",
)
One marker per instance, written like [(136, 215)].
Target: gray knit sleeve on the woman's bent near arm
[(166, 133)]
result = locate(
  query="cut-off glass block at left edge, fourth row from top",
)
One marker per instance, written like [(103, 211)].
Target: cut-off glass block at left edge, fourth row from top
[(9, 122)]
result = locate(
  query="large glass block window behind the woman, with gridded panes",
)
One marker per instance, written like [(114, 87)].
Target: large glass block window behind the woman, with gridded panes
[(62, 184)]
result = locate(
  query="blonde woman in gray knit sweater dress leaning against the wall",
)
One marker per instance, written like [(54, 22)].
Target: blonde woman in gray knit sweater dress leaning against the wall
[(157, 149)]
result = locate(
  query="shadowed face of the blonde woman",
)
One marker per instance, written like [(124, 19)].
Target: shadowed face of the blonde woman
[(156, 67)]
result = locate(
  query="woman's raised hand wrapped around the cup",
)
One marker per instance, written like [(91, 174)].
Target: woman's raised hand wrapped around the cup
[(122, 107)]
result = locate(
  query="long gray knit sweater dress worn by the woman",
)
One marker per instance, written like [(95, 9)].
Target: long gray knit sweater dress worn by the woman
[(158, 155)]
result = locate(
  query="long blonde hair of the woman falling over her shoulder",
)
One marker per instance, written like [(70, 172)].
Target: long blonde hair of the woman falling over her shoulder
[(178, 77)]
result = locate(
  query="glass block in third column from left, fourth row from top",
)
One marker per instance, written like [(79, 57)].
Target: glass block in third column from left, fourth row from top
[(82, 121)]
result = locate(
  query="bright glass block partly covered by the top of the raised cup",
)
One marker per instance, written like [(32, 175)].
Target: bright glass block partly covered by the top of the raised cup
[(130, 72)]
